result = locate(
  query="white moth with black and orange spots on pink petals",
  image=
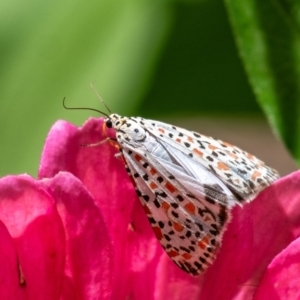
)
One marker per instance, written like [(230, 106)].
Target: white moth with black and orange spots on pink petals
[(187, 184)]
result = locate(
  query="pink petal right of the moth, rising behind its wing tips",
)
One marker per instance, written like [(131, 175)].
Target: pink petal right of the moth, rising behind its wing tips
[(258, 231)]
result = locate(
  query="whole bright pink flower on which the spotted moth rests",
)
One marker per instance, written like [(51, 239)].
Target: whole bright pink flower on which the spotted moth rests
[(52, 228)]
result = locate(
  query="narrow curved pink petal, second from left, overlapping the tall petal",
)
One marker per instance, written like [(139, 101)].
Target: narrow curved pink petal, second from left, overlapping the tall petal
[(89, 256)]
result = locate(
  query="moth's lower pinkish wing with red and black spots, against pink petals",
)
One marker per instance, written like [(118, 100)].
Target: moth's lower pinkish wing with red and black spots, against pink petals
[(189, 227)]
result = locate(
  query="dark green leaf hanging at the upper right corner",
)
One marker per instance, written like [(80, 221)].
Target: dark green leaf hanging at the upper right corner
[(268, 37)]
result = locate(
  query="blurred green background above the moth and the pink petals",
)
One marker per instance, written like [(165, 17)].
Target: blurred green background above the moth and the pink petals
[(200, 64)]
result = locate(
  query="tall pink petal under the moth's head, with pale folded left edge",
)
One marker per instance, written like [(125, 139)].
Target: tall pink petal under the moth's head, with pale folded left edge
[(135, 246)]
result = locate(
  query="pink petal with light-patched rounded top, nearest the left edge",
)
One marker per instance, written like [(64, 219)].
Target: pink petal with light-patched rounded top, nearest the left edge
[(32, 220)]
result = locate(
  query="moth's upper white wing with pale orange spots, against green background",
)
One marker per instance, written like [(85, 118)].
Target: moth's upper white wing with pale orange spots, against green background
[(242, 172)]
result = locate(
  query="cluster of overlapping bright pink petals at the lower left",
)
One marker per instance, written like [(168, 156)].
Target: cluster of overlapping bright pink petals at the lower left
[(54, 243)]
